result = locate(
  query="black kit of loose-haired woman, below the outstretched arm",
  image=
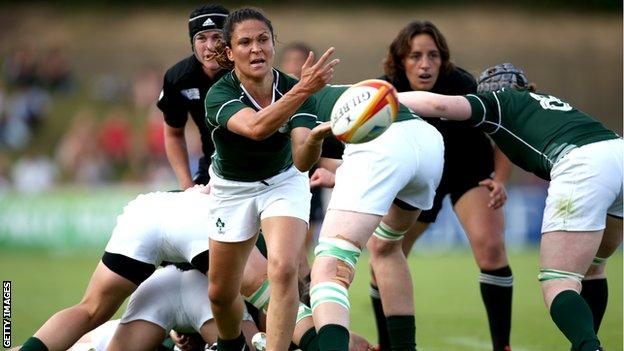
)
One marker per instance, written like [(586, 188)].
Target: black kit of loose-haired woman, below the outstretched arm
[(468, 159)]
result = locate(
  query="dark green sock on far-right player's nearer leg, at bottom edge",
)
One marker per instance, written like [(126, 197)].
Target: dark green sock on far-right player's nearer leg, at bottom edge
[(573, 317)]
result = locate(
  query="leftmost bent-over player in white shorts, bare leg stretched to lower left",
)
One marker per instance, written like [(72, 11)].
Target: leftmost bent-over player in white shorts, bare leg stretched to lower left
[(154, 227)]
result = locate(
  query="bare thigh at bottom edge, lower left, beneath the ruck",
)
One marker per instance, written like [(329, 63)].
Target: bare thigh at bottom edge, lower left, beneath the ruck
[(137, 335)]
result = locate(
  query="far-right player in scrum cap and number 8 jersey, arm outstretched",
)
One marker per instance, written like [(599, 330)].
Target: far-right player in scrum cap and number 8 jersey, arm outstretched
[(582, 223)]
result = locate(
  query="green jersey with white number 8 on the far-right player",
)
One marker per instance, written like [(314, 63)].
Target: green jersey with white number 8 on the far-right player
[(534, 130)]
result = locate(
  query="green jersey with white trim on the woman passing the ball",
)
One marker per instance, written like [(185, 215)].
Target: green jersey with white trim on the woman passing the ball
[(237, 157)]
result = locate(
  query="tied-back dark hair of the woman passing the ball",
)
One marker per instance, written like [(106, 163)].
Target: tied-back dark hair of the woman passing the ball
[(236, 17)]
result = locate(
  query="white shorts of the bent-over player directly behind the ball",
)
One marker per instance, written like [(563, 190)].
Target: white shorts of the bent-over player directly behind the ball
[(405, 162)]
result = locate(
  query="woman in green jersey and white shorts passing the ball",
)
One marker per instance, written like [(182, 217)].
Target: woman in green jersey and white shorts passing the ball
[(265, 138)]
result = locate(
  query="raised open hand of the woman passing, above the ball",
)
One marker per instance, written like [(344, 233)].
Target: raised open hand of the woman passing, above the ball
[(314, 76)]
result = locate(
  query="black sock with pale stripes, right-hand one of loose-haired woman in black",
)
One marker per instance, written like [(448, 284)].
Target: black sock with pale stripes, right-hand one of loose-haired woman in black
[(496, 292)]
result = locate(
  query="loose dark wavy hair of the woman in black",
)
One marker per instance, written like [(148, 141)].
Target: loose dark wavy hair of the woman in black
[(401, 47)]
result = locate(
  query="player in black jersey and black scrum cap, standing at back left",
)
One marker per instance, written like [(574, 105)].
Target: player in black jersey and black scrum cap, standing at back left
[(184, 89)]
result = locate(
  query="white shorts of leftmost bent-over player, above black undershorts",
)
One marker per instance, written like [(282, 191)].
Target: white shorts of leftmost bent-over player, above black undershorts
[(162, 226)]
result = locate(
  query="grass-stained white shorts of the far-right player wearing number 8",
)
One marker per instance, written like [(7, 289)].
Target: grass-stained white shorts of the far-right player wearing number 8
[(585, 186)]
